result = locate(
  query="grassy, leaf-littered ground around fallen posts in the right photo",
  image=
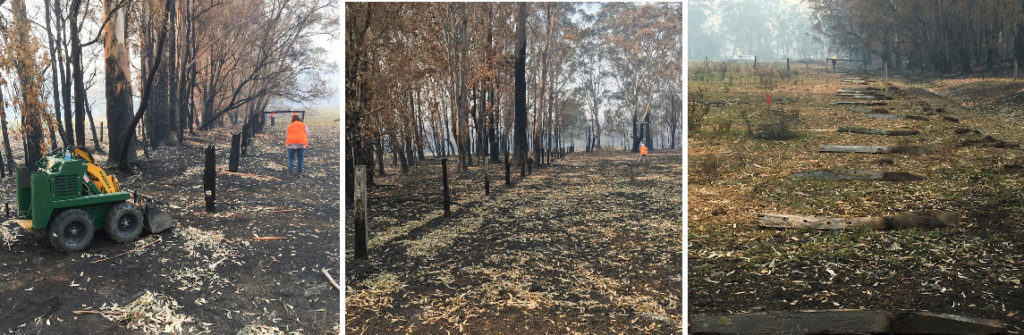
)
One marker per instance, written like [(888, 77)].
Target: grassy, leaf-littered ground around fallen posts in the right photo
[(972, 270)]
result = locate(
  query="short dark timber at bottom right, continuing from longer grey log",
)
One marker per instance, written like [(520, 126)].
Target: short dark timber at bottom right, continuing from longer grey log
[(932, 323)]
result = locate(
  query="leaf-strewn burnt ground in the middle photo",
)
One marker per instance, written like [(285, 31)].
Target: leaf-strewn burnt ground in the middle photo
[(591, 245)]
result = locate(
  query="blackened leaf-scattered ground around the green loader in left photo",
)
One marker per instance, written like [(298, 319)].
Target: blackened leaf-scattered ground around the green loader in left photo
[(270, 286)]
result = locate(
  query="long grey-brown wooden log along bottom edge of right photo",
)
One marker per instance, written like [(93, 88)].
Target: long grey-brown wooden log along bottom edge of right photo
[(804, 322)]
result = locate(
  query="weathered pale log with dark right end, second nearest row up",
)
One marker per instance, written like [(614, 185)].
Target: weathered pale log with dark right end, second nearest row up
[(930, 220)]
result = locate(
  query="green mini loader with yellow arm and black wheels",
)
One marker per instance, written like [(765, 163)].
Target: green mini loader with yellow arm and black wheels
[(71, 198)]
